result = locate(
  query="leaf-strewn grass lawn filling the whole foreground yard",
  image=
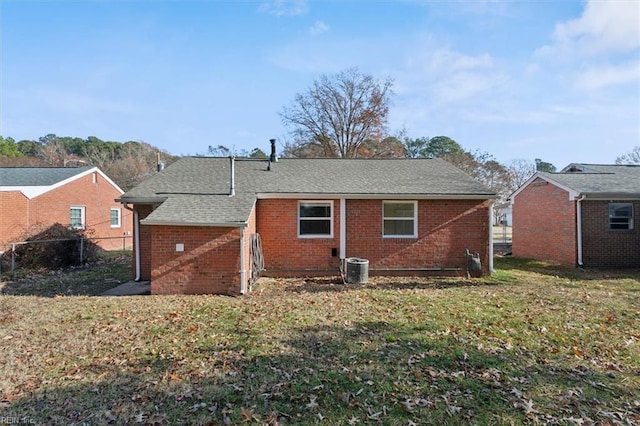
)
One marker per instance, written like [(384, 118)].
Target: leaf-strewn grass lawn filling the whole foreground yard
[(531, 344)]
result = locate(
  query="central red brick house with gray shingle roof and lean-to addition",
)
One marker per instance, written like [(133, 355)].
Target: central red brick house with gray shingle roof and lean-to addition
[(197, 222)]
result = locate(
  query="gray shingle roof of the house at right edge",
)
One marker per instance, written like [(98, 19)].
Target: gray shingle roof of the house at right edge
[(598, 179)]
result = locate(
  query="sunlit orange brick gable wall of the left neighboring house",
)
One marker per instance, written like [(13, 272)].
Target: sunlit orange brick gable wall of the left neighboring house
[(54, 207)]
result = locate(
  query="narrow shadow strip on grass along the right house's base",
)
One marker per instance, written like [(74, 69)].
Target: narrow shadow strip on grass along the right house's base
[(513, 263)]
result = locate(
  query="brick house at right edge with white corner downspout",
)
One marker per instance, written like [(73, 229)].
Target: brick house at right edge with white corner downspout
[(587, 214)]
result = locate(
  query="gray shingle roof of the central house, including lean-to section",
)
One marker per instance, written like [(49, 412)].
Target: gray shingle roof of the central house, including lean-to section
[(196, 189)]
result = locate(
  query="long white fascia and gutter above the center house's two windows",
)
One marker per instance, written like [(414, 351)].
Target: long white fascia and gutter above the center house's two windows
[(323, 196)]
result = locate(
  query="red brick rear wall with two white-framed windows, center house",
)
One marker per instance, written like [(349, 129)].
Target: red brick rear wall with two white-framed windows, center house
[(445, 229)]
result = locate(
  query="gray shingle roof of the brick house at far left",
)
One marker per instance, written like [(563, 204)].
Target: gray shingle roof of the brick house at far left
[(37, 176)]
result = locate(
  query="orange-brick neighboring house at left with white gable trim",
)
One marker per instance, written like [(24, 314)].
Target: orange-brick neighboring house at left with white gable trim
[(33, 198)]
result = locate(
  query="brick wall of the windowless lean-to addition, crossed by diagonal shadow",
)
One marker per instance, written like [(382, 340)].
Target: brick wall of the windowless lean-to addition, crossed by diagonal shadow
[(210, 262)]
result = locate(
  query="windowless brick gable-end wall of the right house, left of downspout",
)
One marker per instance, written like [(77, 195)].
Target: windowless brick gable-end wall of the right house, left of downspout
[(544, 224)]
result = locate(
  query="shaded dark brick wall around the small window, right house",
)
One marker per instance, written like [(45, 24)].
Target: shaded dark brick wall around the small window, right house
[(602, 247)]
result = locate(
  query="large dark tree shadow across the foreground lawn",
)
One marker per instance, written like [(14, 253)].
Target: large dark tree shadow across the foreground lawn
[(366, 372)]
